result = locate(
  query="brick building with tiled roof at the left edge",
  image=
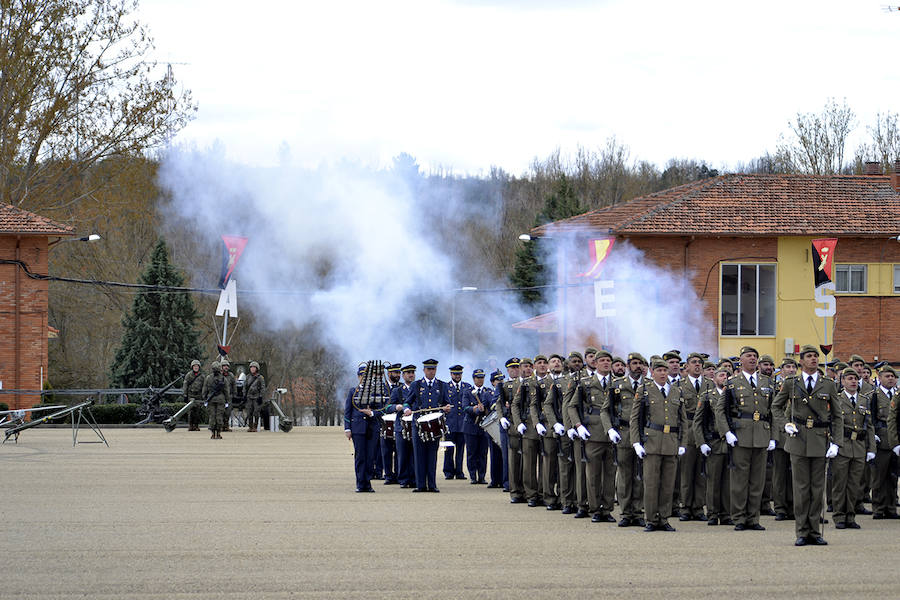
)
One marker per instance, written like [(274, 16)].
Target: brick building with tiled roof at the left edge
[(25, 240)]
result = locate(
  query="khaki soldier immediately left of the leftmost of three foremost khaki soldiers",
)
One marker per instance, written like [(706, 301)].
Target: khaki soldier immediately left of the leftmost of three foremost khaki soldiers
[(616, 417)]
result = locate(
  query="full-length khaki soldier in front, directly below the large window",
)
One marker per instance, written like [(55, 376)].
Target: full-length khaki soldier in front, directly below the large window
[(744, 419)]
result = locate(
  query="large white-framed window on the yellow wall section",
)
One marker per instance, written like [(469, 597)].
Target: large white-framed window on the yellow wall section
[(748, 300)]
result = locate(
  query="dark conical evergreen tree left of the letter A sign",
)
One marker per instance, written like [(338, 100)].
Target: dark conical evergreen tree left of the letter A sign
[(160, 338)]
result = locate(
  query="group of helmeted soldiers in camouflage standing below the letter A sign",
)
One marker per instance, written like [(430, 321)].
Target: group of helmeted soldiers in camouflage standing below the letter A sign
[(220, 392)]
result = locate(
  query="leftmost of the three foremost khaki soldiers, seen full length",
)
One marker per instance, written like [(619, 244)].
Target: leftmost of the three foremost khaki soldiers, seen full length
[(657, 415)]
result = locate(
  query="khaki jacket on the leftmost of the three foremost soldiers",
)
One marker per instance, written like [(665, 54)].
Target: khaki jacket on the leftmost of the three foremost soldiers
[(662, 412)]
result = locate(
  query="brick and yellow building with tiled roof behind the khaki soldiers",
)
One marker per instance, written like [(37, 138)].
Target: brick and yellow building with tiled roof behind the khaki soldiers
[(743, 243)]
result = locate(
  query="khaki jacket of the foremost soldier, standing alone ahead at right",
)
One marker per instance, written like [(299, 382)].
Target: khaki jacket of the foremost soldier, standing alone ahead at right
[(817, 416)]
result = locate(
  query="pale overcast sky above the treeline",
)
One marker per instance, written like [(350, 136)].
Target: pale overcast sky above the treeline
[(467, 84)]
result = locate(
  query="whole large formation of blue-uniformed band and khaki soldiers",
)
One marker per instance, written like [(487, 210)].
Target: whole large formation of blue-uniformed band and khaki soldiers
[(663, 438)]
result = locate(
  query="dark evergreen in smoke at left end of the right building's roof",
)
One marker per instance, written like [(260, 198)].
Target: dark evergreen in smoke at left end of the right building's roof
[(529, 270)]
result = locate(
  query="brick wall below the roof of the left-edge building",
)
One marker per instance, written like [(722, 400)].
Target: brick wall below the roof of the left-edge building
[(23, 318)]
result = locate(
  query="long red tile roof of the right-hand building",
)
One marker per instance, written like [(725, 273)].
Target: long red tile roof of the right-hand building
[(753, 205)]
